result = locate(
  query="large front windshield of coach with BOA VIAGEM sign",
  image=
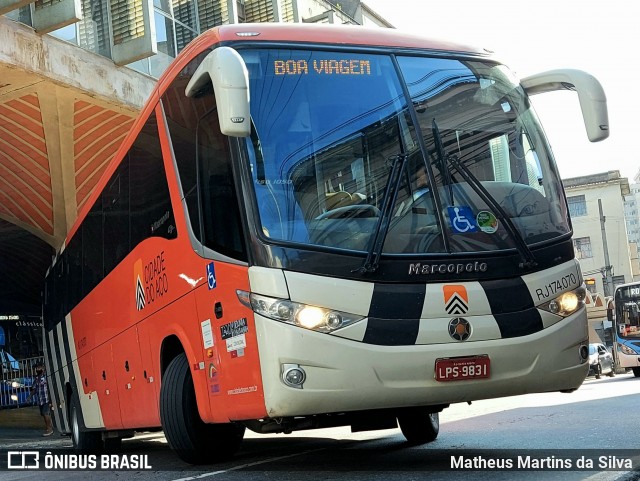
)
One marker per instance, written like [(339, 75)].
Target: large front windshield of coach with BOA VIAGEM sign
[(473, 172)]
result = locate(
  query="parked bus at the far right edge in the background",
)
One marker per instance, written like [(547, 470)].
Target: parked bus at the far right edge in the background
[(624, 313)]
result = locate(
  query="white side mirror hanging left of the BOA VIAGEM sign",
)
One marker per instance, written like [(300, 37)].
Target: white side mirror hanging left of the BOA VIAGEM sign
[(225, 70)]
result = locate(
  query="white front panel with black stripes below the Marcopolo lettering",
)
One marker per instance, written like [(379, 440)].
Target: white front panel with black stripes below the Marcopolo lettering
[(409, 314)]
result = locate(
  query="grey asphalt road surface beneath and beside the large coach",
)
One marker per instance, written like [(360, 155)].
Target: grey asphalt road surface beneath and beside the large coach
[(591, 424)]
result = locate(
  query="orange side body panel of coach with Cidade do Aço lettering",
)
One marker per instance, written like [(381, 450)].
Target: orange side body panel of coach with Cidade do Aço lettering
[(115, 338)]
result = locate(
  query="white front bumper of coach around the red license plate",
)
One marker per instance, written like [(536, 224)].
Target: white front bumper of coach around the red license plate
[(344, 375)]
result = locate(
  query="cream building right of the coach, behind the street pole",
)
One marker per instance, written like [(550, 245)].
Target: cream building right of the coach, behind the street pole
[(596, 206)]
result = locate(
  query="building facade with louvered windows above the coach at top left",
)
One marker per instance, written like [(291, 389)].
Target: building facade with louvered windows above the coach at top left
[(147, 35)]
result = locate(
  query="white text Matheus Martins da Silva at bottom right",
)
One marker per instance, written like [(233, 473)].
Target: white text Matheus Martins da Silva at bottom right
[(547, 462)]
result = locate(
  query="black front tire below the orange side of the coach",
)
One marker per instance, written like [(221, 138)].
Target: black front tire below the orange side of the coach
[(194, 441)]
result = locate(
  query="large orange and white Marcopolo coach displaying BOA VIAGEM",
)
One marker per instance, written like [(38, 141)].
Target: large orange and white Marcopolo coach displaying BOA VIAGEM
[(313, 226)]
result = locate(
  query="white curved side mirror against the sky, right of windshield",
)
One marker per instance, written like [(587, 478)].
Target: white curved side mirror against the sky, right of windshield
[(593, 101)]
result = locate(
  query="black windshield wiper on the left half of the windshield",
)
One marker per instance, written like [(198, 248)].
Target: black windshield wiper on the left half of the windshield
[(372, 260)]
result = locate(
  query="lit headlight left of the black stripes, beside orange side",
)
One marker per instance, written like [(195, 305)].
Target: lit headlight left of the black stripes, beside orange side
[(310, 317)]
